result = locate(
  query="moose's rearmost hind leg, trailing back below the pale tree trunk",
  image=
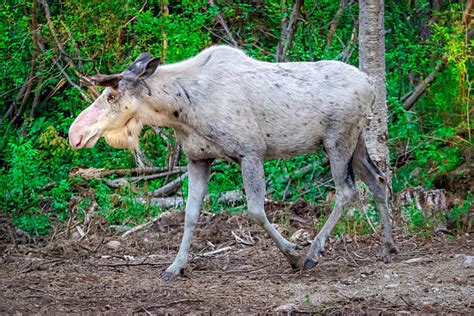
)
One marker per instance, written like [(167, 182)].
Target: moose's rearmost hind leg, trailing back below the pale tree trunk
[(371, 175)]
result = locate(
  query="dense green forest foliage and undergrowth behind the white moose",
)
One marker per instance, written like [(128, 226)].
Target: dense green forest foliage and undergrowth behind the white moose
[(45, 46)]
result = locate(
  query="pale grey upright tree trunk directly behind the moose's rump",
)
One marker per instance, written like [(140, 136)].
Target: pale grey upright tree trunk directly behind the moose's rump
[(372, 62)]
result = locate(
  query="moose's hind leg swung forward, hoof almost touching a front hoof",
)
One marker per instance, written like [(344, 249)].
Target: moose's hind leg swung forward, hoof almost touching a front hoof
[(346, 192)]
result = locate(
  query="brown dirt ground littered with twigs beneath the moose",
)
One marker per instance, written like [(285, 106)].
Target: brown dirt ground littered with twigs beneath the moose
[(234, 268)]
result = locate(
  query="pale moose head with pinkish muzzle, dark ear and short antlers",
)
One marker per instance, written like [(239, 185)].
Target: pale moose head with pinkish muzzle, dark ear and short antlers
[(115, 115)]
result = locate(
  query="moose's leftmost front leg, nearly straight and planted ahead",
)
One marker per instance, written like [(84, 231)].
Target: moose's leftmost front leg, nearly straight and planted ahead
[(198, 179)]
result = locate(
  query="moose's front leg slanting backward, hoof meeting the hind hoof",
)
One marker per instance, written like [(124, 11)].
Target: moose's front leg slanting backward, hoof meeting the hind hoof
[(254, 184)]
